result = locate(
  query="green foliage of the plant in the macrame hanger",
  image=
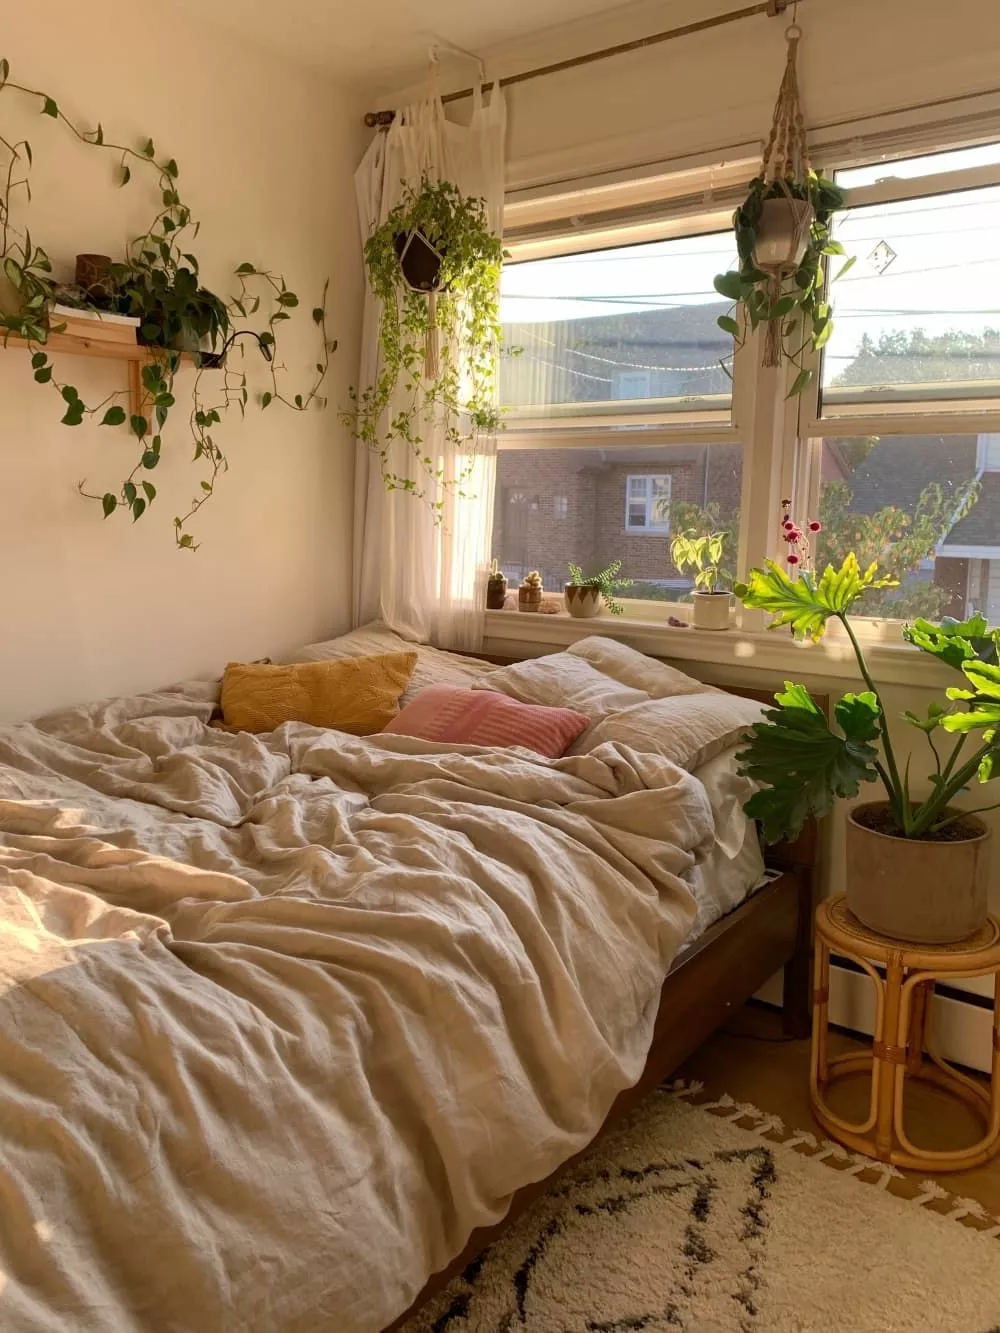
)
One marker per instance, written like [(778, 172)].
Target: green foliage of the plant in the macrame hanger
[(795, 302)]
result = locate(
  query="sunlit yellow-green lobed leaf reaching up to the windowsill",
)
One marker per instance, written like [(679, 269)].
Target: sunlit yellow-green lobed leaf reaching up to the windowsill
[(805, 603)]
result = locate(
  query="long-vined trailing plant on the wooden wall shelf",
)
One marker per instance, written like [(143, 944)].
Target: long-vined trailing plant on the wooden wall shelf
[(158, 282)]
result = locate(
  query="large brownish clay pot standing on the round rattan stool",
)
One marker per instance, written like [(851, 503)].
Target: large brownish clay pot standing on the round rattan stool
[(917, 890)]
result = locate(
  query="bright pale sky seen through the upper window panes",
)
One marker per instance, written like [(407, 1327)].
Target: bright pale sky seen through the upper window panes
[(929, 263)]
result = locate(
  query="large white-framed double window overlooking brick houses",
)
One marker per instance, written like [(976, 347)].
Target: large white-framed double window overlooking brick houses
[(630, 419)]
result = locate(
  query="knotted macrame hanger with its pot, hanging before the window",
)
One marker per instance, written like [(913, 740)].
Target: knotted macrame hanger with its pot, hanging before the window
[(786, 219)]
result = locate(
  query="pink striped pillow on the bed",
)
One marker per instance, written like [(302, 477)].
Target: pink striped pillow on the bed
[(485, 718)]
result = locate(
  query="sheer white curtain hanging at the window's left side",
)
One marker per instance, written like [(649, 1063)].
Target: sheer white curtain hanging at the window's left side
[(427, 579)]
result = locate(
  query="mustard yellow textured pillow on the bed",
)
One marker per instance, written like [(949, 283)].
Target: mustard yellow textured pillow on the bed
[(358, 695)]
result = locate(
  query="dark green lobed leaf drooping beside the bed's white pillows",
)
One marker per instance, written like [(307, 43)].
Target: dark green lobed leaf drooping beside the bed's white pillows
[(803, 763)]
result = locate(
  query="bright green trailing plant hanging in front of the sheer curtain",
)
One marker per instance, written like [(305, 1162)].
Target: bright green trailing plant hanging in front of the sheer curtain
[(434, 267)]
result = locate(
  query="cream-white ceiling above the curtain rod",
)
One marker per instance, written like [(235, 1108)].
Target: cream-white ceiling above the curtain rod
[(383, 43)]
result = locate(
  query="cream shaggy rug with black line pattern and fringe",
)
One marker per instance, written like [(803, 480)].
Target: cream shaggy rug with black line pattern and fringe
[(714, 1219)]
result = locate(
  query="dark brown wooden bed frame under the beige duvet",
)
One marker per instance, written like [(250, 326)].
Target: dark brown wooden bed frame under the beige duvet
[(770, 932)]
